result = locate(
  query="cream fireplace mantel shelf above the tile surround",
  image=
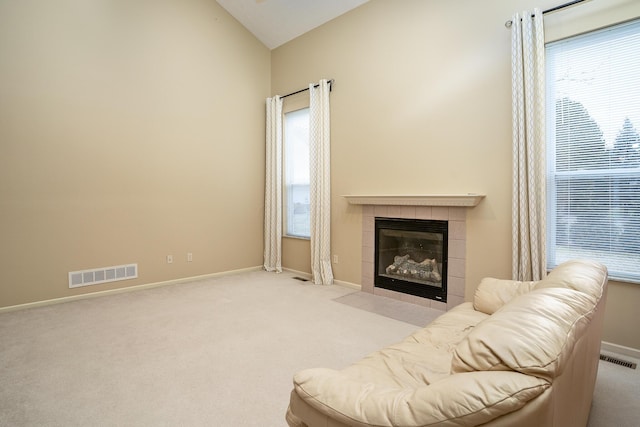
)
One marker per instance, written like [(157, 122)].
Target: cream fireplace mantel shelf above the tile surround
[(457, 200)]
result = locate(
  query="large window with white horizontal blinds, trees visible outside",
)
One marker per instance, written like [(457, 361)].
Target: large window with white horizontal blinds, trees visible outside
[(593, 149)]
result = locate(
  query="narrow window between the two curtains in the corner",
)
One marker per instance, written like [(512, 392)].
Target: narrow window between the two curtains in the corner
[(296, 171)]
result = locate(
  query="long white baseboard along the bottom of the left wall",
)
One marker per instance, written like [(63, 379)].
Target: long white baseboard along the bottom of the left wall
[(127, 289)]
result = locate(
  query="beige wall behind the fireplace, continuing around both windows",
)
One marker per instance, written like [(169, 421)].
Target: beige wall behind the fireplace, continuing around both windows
[(422, 104)]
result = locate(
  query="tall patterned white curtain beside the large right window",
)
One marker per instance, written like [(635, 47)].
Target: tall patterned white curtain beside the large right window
[(528, 203)]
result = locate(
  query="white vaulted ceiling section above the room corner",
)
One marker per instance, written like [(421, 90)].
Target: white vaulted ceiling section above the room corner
[(275, 22)]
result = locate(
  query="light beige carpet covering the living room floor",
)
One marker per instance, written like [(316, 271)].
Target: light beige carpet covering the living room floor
[(217, 352)]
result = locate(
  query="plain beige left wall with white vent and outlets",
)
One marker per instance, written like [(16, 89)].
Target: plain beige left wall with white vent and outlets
[(129, 130)]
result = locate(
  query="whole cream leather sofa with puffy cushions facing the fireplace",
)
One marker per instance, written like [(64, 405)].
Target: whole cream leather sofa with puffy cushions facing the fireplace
[(521, 354)]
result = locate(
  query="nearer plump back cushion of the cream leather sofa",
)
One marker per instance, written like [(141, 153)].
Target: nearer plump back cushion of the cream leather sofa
[(533, 334)]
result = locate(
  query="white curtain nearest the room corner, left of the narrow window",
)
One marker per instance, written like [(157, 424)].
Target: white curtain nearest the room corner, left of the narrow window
[(273, 187)]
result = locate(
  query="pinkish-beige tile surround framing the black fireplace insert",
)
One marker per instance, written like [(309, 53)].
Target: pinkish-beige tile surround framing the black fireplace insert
[(455, 215)]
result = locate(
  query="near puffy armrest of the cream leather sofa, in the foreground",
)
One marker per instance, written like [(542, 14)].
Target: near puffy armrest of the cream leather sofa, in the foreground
[(469, 398)]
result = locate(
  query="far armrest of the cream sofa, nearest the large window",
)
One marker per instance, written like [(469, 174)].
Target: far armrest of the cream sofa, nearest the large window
[(492, 294)]
